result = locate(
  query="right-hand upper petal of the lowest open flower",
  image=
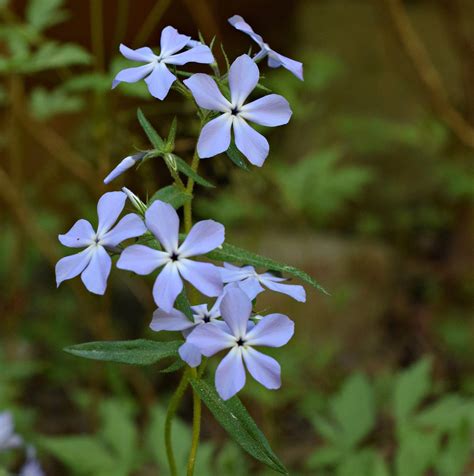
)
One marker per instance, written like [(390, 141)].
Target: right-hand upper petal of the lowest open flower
[(273, 330)]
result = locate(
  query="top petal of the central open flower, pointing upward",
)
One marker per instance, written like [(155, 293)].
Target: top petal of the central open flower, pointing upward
[(163, 221)]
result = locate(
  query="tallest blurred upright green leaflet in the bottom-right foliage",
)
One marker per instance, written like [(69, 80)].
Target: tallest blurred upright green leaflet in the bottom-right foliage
[(411, 386)]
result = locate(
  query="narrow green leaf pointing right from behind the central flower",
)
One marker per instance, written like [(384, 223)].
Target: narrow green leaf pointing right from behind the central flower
[(235, 254)]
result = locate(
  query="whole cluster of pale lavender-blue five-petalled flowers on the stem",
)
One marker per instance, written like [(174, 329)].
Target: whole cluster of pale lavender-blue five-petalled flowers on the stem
[(227, 117)]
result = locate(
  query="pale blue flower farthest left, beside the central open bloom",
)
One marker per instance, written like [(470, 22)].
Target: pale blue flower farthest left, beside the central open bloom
[(94, 263)]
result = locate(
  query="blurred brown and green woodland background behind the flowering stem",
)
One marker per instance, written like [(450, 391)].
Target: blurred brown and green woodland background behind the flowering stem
[(369, 189)]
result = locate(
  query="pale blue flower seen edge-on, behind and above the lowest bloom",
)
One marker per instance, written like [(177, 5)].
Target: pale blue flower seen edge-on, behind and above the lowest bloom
[(253, 283)]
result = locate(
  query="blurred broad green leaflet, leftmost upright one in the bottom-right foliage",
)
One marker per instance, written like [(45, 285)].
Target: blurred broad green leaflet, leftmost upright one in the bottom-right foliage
[(353, 408)]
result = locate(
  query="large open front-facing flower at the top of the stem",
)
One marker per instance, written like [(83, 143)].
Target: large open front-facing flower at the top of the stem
[(271, 110)]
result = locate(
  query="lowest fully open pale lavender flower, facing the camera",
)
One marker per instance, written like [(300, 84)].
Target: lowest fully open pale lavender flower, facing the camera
[(273, 330)]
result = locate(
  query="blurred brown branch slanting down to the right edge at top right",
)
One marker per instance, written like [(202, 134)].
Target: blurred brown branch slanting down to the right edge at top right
[(428, 74)]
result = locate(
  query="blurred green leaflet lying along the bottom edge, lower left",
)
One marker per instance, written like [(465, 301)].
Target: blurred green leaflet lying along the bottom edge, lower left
[(82, 454)]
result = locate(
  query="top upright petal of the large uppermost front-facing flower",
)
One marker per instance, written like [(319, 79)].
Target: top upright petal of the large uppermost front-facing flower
[(243, 77)]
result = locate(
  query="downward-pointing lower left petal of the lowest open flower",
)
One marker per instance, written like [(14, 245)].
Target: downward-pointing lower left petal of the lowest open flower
[(230, 374)]
